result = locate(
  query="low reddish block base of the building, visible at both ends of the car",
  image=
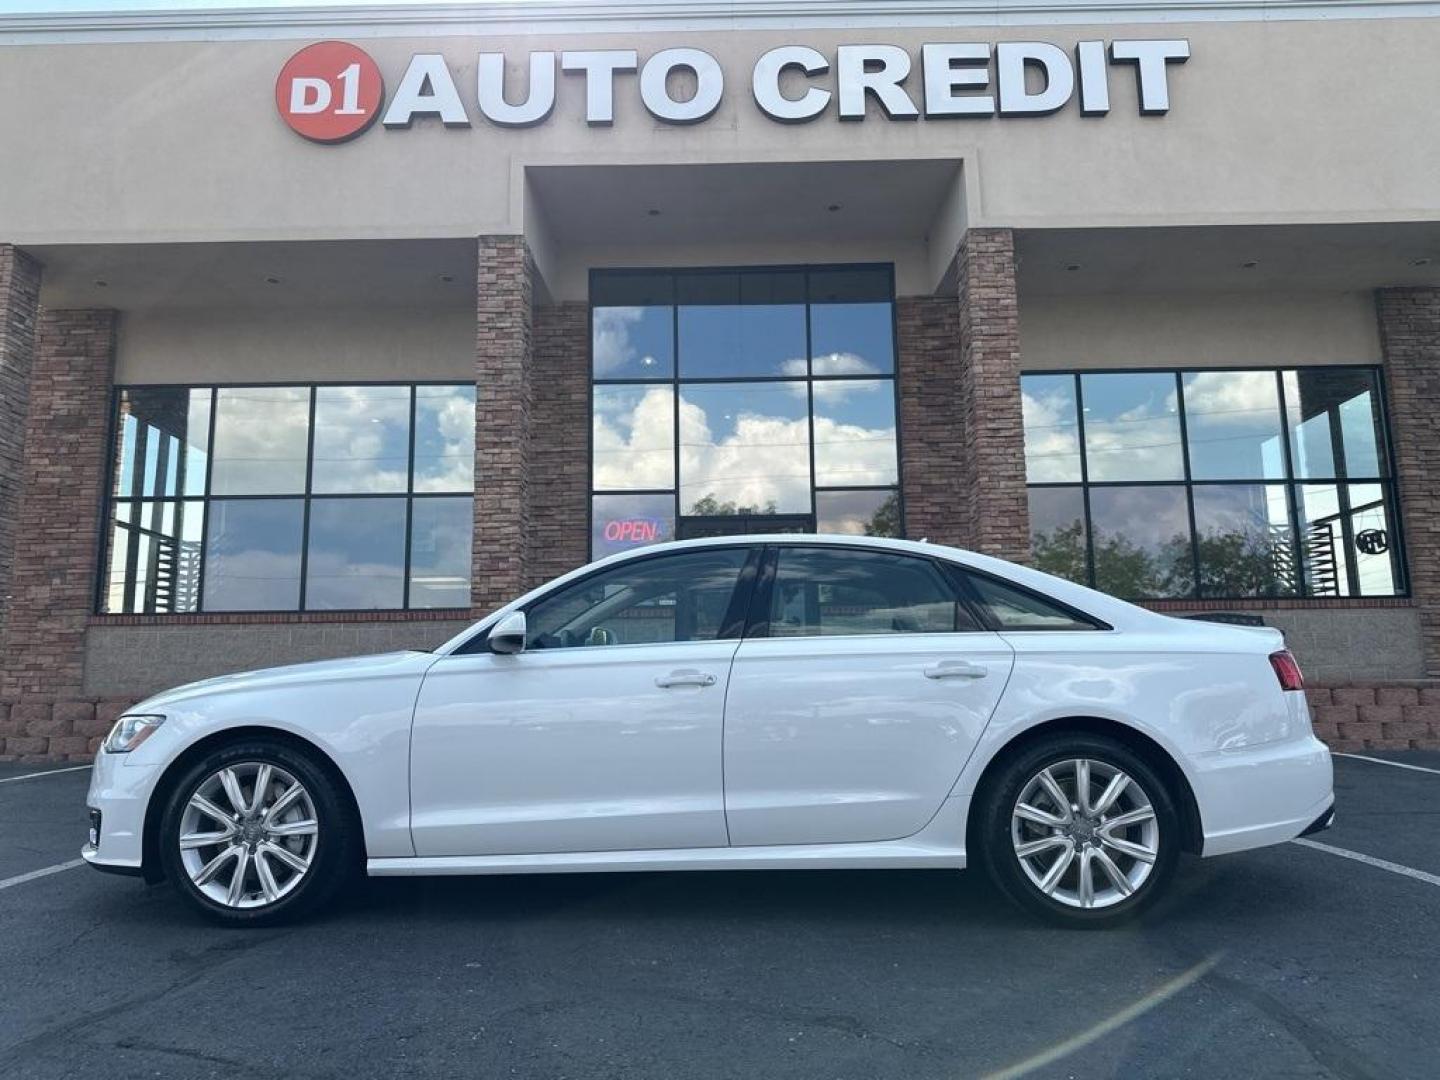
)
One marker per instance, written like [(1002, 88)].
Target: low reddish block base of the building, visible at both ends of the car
[(1350, 718)]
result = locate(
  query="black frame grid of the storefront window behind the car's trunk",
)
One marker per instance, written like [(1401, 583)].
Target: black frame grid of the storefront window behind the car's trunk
[(1387, 482)]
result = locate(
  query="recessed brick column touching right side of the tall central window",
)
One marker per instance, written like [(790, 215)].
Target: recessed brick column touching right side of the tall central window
[(932, 436)]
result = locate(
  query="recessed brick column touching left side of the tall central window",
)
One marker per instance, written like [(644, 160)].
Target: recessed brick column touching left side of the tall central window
[(561, 415)]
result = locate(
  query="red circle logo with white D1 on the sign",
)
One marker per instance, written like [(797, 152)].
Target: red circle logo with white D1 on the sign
[(330, 91)]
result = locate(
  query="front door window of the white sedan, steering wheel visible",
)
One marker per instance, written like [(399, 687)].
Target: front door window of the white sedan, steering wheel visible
[(644, 603)]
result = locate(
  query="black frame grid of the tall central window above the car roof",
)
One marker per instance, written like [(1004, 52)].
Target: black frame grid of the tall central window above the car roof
[(676, 382)]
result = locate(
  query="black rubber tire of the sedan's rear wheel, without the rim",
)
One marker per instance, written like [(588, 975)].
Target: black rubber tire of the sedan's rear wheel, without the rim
[(996, 806)]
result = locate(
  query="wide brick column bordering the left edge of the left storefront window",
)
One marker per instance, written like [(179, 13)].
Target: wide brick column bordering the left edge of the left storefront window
[(58, 523)]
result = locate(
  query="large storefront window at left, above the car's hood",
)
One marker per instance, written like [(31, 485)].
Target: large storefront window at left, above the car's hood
[(292, 499)]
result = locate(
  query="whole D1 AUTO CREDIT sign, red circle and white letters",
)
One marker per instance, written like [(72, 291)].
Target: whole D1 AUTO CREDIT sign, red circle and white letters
[(333, 91)]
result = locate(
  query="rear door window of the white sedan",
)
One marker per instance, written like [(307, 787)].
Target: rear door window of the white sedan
[(837, 591)]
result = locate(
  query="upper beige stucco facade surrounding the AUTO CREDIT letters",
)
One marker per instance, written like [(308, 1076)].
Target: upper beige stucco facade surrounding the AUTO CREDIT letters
[(181, 140)]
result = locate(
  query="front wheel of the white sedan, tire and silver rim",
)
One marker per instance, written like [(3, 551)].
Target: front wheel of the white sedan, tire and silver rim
[(257, 833)]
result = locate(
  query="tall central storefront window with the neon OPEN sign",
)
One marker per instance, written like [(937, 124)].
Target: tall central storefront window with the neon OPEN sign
[(742, 401)]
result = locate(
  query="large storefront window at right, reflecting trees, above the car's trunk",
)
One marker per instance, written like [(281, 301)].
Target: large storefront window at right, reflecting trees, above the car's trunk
[(1222, 485)]
